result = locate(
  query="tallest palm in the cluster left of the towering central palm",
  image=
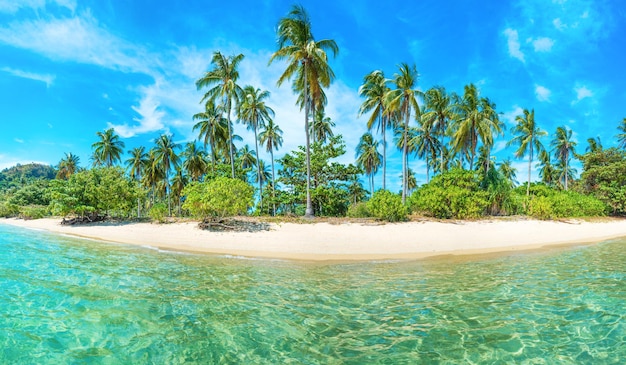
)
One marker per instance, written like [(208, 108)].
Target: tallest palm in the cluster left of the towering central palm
[(222, 80)]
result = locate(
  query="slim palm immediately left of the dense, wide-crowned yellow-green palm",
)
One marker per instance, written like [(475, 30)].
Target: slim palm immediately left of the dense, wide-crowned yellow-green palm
[(439, 112)]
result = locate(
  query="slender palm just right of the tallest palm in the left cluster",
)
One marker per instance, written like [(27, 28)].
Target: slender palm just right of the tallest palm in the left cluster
[(255, 113)]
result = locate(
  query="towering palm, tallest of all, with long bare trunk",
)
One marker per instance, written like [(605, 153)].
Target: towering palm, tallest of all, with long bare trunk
[(308, 61)]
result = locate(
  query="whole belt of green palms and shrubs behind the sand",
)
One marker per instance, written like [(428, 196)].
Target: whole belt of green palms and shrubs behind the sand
[(220, 175)]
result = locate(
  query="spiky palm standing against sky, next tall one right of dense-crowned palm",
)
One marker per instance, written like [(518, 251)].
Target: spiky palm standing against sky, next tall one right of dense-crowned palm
[(527, 137)]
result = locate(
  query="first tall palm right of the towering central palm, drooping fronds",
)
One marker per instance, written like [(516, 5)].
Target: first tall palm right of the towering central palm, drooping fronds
[(374, 90)]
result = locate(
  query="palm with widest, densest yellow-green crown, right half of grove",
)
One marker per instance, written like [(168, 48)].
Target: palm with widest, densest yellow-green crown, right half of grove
[(477, 120)]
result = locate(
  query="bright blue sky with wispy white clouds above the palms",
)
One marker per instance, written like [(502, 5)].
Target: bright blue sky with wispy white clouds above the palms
[(70, 68)]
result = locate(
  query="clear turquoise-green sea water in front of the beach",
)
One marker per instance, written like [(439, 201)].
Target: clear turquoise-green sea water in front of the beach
[(71, 301)]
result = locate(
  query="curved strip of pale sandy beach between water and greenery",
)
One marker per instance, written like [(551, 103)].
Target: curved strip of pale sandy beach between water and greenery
[(319, 242)]
